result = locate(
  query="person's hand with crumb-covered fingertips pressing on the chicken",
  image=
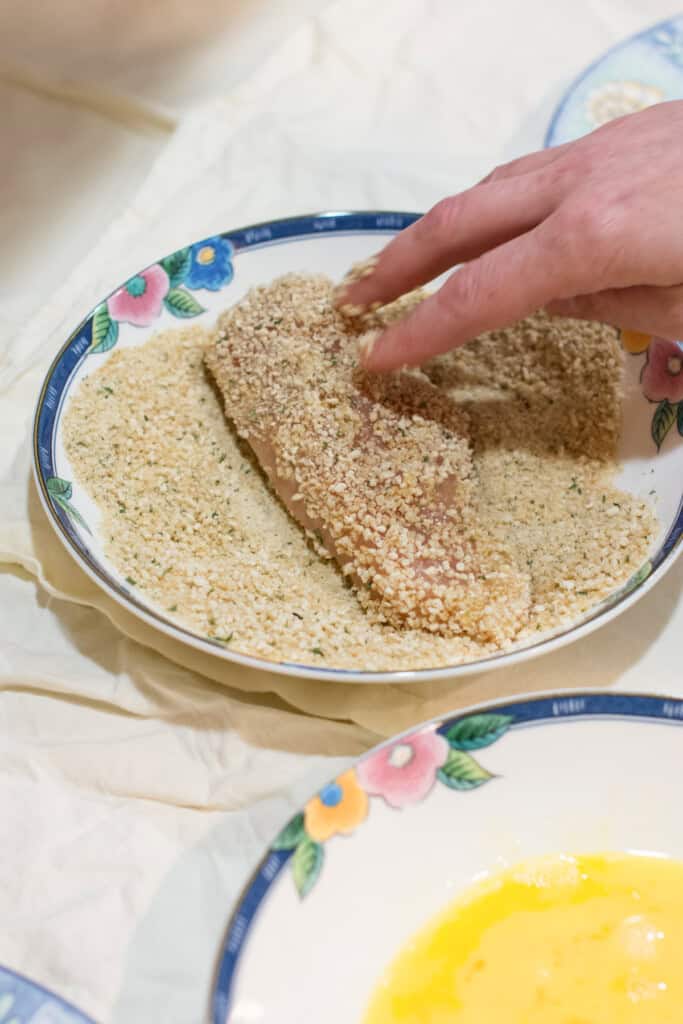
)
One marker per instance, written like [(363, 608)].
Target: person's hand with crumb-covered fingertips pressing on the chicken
[(591, 230)]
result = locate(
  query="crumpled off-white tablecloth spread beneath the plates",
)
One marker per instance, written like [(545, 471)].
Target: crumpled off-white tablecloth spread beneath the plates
[(137, 792)]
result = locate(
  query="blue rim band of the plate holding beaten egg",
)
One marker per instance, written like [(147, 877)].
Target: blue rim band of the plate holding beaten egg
[(529, 710)]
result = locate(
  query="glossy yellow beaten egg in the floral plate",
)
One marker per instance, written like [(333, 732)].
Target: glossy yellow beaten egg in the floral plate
[(561, 941)]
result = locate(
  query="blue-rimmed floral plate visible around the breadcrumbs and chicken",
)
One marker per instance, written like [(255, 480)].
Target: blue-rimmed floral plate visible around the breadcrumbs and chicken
[(197, 283)]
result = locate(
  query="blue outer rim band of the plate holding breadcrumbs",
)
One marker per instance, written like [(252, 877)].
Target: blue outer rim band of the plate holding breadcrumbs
[(246, 239)]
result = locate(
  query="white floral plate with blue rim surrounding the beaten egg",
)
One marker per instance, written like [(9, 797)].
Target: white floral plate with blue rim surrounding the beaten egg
[(394, 840)]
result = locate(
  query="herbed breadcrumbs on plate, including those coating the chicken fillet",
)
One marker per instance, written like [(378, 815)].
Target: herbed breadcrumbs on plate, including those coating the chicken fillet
[(518, 440)]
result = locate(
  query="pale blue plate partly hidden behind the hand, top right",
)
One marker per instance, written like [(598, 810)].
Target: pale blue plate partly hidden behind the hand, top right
[(638, 72)]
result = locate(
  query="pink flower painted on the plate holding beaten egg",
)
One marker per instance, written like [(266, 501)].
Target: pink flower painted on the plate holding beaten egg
[(405, 773)]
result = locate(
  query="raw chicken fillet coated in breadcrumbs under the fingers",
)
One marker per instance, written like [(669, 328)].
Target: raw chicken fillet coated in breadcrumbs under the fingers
[(376, 468)]
